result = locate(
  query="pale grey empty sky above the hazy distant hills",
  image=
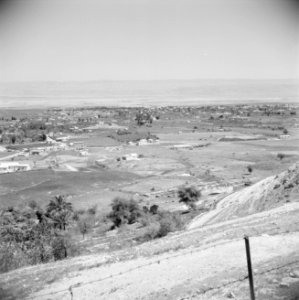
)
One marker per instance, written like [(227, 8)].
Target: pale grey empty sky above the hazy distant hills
[(148, 39)]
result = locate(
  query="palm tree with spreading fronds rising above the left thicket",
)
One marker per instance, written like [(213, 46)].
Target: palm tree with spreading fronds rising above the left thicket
[(59, 210)]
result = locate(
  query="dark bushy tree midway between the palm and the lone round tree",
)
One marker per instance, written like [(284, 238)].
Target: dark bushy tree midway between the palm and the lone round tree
[(124, 211)]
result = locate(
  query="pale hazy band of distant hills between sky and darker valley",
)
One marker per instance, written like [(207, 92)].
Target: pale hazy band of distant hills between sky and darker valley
[(146, 93)]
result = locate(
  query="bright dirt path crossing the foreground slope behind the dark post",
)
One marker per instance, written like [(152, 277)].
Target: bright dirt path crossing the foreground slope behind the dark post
[(146, 277)]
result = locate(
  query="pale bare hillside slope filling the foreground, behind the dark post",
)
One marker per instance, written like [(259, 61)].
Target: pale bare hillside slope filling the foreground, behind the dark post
[(202, 262)]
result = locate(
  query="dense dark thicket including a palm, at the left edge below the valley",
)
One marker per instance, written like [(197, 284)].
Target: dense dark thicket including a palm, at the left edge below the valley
[(32, 235)]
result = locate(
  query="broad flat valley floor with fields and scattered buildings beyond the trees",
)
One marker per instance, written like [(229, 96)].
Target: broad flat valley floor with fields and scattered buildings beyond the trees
[(151, 145)]
